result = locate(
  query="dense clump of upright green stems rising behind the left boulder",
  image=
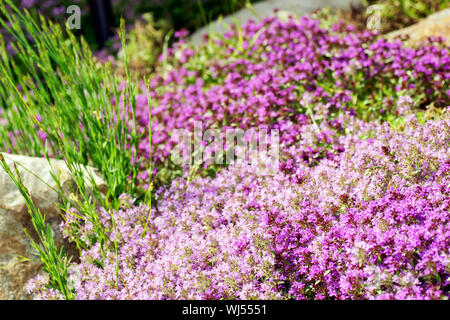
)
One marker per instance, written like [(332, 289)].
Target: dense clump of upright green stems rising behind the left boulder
[(63, 93)]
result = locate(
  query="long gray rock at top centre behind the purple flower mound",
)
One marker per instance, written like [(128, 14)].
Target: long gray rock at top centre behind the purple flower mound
[(265, 8)]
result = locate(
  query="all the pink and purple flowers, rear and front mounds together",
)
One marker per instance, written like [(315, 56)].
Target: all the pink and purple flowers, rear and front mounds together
[(357, 209)]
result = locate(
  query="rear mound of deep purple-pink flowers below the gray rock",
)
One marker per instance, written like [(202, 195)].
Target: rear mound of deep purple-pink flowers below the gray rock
[(285, 74)]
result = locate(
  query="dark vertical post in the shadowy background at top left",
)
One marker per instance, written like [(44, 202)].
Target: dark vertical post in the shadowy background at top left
[(102, 20)]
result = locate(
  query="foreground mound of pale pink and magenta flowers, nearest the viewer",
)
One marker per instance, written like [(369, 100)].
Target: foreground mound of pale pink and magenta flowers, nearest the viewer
[(371, 223)]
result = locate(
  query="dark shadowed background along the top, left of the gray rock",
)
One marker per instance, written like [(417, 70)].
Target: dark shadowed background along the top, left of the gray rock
[(166, 14)]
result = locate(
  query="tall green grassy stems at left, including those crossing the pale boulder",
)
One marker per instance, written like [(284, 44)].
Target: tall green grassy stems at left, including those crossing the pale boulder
[(62, 93)]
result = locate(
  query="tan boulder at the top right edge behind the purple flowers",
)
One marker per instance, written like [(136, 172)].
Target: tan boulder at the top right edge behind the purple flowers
[(437, 24)]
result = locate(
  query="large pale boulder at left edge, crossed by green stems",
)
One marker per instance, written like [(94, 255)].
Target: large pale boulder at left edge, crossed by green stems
[(18, 260)]
